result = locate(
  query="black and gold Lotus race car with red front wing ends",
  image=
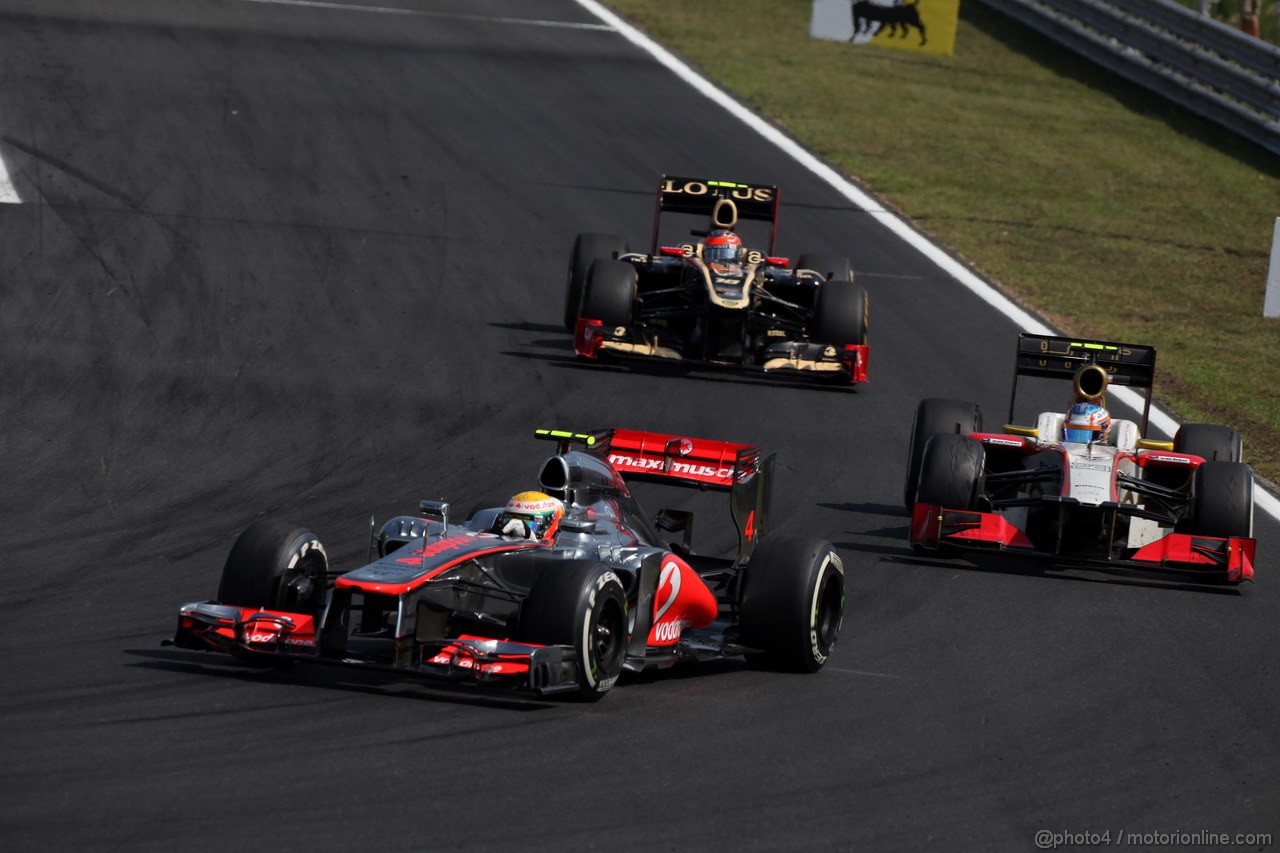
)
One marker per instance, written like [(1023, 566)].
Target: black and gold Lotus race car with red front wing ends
[(715, 300)]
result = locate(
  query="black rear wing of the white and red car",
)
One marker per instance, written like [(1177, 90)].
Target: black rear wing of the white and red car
[(1059, 358)]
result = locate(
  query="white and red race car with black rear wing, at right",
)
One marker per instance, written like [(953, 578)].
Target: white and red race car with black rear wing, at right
[(1123, 501)]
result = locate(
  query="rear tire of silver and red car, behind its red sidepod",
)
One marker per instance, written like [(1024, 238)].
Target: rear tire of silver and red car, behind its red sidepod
[(793, 604)]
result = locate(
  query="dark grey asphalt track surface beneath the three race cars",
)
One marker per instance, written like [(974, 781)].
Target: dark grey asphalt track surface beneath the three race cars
[(308, 262)]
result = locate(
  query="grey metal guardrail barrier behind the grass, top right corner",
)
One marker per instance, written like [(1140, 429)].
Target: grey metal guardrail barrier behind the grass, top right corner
[(1203, 65)]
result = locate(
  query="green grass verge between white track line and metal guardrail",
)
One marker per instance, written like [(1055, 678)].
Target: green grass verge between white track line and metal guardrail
[(1110, 211)]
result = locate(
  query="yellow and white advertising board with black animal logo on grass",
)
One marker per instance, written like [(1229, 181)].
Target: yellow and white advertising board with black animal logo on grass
[(927, 26)]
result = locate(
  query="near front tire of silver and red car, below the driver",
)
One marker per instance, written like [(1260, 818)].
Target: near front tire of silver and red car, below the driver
[(583, 605)]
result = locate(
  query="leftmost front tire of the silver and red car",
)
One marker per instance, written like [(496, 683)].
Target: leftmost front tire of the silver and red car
[(276, 565)]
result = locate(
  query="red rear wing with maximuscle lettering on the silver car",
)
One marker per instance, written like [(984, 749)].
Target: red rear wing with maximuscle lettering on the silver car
[(742, 471)]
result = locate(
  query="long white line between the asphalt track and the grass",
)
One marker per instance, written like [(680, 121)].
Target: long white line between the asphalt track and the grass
[(1160, 419)]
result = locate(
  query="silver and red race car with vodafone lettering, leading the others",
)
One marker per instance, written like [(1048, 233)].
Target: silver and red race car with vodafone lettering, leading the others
[(602, 591)]
